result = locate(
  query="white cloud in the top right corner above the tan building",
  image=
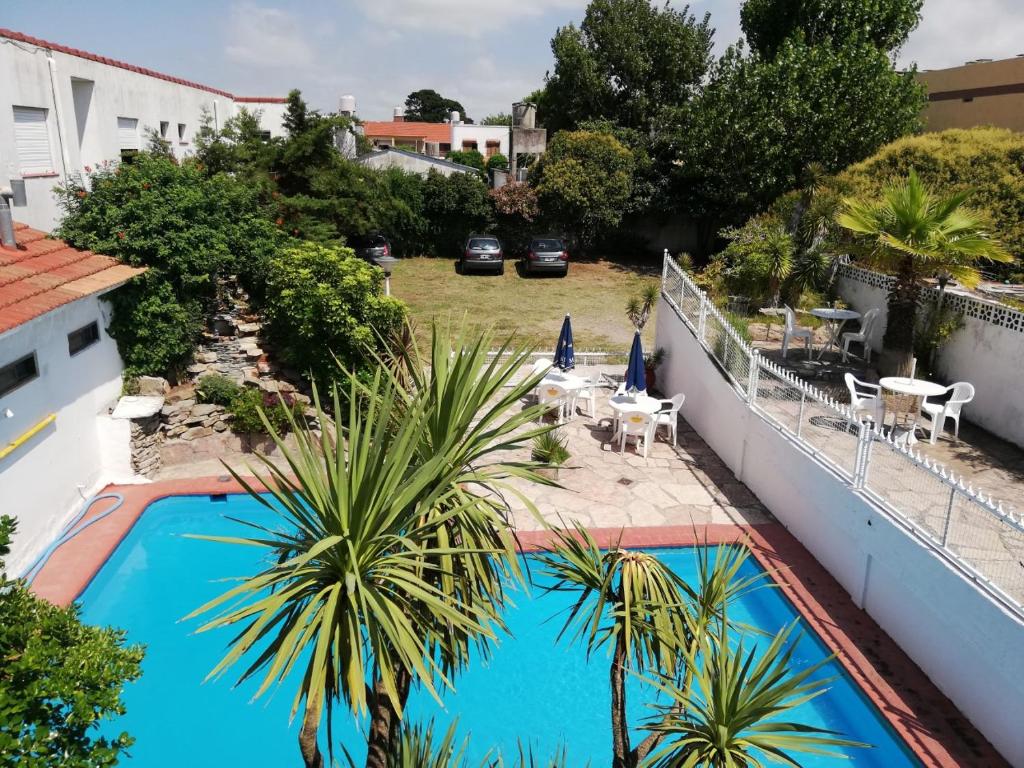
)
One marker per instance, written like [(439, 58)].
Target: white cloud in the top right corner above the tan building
[(953, 32)]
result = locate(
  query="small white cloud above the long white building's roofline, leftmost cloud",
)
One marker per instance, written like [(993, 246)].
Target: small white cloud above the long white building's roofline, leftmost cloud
[(267, 38)]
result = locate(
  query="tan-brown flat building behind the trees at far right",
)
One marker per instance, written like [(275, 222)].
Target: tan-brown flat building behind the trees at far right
[(983, 93)]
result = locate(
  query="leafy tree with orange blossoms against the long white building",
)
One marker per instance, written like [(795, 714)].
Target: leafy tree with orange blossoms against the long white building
[(188, 229)]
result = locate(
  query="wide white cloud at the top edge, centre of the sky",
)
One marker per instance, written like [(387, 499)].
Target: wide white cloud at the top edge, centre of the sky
[(464, 18)]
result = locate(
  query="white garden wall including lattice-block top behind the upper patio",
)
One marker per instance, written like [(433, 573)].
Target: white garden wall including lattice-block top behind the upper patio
[(989, 351)]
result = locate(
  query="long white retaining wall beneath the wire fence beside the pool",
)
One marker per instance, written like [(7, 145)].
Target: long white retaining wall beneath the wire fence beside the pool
[(966, 643)]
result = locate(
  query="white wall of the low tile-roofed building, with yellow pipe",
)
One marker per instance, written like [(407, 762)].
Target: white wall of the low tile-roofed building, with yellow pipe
[(45, 482)]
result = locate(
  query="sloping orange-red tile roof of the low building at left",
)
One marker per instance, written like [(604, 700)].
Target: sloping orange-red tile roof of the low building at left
[(42, 275)]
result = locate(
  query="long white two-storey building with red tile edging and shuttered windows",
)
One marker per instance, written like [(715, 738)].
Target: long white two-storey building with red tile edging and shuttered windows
[(64, 111)]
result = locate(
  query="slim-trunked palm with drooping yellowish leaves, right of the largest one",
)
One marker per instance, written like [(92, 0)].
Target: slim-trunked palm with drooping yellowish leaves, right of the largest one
[(635, 604)]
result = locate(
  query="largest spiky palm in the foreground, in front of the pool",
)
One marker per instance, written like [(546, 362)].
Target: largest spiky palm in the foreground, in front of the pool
[(392, 551)]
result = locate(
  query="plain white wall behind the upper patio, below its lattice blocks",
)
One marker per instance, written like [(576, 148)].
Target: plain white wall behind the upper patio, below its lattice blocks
[(989, 356)]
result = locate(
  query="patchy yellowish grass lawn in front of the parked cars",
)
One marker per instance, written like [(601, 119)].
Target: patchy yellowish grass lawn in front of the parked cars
[(594, 293)]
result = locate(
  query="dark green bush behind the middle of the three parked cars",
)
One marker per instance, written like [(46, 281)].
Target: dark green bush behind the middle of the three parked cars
[(454, 207)]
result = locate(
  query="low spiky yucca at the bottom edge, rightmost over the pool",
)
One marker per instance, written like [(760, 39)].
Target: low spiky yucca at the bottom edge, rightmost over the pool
[(731, 713)]
